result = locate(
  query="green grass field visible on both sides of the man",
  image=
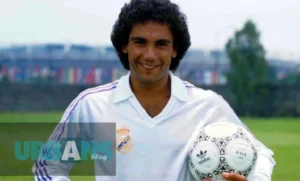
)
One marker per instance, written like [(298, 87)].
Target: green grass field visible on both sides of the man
[(282, 135)]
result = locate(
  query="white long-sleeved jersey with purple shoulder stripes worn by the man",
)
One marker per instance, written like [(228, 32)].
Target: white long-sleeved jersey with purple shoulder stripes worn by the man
[(158, 146)]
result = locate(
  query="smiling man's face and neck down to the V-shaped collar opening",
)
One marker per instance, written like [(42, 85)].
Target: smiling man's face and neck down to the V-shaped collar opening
[(150, 51)]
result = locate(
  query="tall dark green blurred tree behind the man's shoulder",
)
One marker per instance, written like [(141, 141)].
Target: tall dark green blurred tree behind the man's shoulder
[(248, 67)]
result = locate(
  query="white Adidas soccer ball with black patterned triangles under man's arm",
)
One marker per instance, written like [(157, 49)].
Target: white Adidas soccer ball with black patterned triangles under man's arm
[(222, 147)]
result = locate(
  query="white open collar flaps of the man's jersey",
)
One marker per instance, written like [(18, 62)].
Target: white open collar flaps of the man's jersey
[(123, 90)]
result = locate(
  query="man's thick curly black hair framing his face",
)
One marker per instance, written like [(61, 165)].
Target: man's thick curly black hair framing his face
[(141, 11)]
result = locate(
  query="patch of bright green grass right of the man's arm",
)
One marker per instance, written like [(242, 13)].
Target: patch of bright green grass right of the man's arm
[(282, 135)]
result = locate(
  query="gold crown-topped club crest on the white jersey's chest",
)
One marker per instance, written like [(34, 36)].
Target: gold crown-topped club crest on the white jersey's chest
[(124, 143)]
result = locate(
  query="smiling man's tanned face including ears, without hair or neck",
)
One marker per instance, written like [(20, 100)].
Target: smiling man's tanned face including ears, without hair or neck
[(150, 50)]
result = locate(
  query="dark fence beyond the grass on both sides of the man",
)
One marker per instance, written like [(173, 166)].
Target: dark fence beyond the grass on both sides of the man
[(281, 100)]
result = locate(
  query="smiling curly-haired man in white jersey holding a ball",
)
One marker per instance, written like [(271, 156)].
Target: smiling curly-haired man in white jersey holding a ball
[(158, 112)]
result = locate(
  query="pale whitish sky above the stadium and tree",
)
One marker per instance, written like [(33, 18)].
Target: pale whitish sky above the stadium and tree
[(211, 23)]
